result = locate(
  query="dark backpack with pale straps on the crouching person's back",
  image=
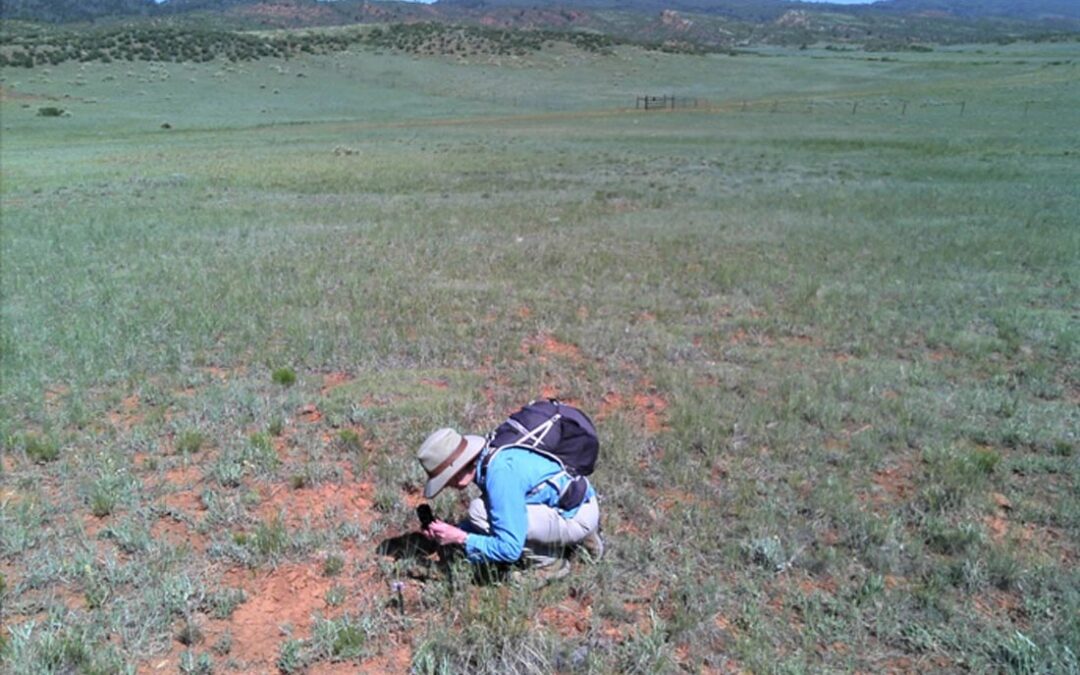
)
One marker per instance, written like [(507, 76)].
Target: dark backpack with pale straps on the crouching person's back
[(560, 433)]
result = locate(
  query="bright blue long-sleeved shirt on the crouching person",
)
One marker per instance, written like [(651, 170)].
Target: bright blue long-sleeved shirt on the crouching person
[(505, 488)]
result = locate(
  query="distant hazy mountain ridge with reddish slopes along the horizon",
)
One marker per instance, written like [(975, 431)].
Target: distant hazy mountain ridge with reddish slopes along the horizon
[(708, 23)]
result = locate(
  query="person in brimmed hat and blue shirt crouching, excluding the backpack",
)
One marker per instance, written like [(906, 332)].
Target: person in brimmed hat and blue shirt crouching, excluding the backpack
[(518, 512)]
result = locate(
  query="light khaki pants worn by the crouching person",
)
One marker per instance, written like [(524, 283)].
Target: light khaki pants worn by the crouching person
[(549, 533)]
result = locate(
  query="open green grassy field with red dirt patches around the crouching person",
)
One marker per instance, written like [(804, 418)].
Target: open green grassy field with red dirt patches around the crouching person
[(828, 323)]
